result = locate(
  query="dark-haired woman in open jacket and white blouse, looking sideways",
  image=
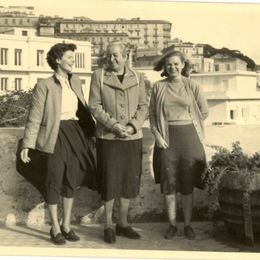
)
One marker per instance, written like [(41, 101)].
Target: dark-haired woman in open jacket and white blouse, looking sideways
[(59, 131)]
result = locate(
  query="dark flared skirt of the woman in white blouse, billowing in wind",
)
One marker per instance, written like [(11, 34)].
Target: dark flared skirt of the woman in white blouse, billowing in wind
[(73, 164)]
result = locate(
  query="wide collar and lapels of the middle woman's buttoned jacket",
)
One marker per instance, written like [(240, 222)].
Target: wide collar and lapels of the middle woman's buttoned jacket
[(111, 79)]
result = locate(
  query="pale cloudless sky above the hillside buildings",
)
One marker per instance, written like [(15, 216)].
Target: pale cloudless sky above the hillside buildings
[(235, 26)]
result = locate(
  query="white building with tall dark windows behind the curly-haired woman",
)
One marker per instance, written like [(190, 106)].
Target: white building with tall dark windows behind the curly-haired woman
[(23, 61)]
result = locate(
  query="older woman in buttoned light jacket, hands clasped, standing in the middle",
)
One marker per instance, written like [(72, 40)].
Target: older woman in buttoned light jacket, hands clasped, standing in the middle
[(118, 102)]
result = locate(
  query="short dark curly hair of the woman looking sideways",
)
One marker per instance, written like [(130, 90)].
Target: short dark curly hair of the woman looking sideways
[(57, 51)]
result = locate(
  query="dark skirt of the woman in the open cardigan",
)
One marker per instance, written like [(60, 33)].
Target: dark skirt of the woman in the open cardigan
[(181, 166)]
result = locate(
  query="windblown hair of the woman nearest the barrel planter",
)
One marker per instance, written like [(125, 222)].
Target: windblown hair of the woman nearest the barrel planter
[(160, 64)]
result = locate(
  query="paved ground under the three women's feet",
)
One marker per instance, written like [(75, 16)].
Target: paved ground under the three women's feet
[(208, 238)]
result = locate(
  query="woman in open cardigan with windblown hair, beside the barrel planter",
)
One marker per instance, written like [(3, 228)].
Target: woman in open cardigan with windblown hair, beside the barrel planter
[(177, 110)]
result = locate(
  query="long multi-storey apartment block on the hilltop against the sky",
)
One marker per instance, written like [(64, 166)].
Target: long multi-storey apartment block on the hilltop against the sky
[(145, 33)]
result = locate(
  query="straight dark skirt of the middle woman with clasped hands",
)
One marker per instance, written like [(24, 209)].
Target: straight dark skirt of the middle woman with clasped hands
[(119, 165)]
